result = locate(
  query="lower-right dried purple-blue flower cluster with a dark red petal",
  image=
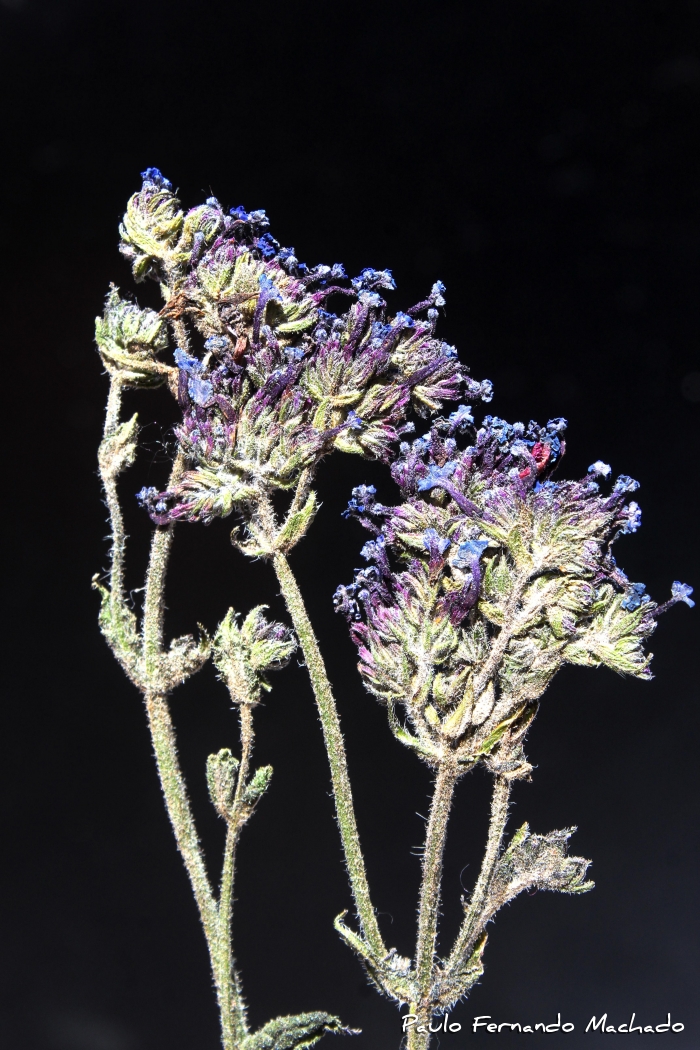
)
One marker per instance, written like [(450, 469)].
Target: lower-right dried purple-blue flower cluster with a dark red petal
[(485, 580)]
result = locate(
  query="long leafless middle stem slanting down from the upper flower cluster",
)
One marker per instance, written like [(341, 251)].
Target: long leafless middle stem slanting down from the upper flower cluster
[(336, 750)]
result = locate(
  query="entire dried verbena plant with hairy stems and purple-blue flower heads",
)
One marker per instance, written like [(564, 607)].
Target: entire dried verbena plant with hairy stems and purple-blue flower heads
[(480, 584)]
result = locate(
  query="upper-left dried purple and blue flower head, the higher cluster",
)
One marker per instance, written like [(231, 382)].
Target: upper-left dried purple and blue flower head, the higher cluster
[(280, 381)]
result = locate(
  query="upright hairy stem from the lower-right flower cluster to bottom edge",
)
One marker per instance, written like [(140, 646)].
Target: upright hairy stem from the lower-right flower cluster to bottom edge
[(430, 904)]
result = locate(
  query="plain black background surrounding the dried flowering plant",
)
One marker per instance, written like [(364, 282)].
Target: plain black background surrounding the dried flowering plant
[(540, 158)]
